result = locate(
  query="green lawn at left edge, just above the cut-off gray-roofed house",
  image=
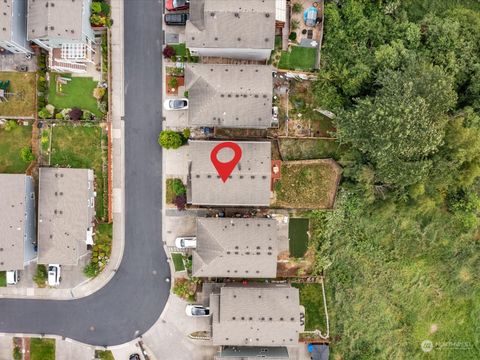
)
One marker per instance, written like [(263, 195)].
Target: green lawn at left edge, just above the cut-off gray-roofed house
[(10, 144)]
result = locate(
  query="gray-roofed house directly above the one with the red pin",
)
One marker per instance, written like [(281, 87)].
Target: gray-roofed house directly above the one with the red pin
[(231, 96)]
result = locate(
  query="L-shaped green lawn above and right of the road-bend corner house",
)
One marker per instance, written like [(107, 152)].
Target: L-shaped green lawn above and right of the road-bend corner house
[(80, 147)]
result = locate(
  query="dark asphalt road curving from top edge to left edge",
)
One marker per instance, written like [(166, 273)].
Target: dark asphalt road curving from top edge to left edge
[(134, 299)]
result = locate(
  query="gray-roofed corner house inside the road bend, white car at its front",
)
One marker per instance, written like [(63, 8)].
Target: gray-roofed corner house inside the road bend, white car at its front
[(66, 214)]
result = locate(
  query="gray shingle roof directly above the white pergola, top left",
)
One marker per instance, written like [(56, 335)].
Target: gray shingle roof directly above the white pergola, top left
[(55, 19)]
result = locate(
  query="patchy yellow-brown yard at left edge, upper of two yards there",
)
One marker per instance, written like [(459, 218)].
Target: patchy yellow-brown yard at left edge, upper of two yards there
[(22, 102)]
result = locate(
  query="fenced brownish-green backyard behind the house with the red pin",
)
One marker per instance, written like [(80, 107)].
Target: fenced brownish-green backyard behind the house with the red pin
[(307, 184)]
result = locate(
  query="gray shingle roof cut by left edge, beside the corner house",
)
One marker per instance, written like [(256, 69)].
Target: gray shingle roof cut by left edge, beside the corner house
[(12, 221)]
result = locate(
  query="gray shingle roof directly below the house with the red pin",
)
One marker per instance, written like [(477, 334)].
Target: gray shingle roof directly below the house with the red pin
[(244, 248)]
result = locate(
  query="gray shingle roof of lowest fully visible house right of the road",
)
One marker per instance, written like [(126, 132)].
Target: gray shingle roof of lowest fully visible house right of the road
[(256, 316)]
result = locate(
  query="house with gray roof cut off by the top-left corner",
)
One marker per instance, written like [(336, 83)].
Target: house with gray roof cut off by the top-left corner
[(13, 28)]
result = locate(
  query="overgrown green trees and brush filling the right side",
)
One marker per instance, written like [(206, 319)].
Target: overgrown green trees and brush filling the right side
[(401, 248)]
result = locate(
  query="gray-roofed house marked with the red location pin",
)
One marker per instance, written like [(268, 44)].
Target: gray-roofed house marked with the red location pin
[(247, 185)]
